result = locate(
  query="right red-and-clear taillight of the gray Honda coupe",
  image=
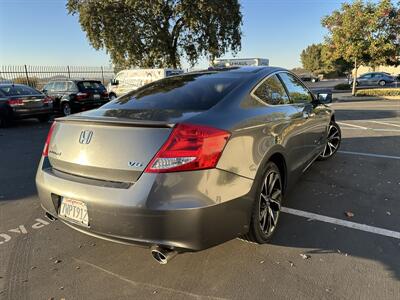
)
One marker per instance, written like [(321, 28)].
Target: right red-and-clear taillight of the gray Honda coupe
[(189, 147)]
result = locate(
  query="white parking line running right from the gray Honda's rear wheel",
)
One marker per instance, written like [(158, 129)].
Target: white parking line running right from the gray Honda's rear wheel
[(344, 223)]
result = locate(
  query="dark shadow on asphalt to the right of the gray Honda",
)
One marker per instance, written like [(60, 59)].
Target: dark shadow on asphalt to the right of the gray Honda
[(365, 186)]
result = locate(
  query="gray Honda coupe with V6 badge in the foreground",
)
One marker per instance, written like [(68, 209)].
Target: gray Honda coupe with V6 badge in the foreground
[(187, 162)]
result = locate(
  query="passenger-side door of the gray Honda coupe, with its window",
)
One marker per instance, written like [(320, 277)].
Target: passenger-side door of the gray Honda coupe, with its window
[(311, 119)]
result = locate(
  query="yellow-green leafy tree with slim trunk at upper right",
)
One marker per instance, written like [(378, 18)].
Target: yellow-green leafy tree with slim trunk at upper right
[(364, 33)]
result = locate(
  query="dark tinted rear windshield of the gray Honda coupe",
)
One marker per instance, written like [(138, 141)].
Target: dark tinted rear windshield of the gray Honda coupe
[(187, 92)]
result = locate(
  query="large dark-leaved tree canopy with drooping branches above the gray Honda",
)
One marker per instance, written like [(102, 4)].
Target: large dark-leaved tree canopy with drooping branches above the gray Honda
[(157, 33)]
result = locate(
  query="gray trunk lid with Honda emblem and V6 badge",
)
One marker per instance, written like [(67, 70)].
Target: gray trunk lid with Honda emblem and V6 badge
[(106, 149)]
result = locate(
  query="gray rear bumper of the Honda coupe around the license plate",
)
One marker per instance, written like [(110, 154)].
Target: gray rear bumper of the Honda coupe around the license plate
[(187, 212)]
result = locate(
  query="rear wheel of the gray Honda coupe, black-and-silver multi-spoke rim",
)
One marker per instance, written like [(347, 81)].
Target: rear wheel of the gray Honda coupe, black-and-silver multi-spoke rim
[(267, 203)]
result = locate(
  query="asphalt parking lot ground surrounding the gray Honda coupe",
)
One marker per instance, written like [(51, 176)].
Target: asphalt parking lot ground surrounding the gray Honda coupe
[(339, 237)]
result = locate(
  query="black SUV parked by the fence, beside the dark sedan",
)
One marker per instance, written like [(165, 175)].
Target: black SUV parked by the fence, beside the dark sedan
[(71, 96)]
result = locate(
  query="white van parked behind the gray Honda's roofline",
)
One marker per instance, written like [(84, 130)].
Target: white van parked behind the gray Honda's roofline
[(129, 80)]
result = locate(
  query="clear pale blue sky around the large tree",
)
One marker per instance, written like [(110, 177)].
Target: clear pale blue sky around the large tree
[(40, 32)]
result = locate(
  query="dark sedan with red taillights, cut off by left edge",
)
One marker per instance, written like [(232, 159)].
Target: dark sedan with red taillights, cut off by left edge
[(18, 101)]
